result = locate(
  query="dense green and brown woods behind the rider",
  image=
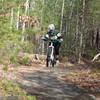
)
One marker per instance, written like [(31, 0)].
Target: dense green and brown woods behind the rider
[(23, 22)]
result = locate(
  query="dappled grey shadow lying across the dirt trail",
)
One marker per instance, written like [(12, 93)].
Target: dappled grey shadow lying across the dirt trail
[(46, 86)]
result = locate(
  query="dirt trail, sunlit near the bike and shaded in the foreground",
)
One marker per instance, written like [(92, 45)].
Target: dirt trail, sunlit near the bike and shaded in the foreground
[(46, 84)]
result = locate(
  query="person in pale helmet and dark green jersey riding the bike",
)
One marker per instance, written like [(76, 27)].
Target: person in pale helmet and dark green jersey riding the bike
[(56, 39)]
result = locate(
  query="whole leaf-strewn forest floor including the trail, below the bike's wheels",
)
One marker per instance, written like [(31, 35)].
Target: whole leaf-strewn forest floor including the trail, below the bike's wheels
[(64, 82)]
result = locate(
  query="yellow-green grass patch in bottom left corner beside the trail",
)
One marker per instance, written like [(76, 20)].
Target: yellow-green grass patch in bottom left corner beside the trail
[(8, 88)]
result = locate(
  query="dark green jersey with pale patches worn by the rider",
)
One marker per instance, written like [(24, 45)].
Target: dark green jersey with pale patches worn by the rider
[(56, 37)]
